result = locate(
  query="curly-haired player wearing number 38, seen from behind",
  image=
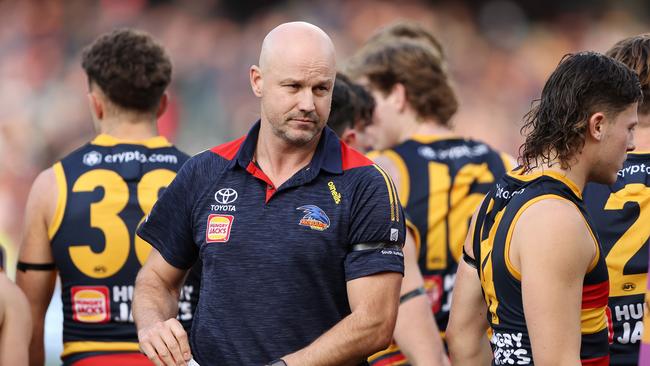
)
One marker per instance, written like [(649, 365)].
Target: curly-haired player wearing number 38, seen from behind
[(82, 213)]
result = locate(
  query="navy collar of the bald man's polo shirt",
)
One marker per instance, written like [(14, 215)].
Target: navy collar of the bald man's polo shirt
[(327, 156)]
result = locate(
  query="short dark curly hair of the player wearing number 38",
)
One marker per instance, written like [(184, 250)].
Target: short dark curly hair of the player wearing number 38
[(129, 67)]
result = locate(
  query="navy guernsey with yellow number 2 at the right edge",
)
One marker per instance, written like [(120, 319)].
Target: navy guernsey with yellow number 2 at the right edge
[(621, 214)]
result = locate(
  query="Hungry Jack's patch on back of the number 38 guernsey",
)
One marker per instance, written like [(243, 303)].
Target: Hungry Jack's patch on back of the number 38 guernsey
[(90, 304)]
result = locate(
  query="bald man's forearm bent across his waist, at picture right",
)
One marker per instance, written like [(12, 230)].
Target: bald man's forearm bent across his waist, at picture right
[(349, 342)]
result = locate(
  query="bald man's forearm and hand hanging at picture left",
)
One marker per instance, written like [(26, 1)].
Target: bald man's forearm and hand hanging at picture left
[(155, 305)]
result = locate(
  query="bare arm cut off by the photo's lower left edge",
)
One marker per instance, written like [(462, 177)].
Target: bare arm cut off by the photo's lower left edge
[(15, 324)]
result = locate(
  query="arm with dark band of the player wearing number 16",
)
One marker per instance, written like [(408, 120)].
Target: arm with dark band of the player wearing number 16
[(416, 331)]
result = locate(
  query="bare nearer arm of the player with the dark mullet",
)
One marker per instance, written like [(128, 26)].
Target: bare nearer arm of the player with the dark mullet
[(553, 249)]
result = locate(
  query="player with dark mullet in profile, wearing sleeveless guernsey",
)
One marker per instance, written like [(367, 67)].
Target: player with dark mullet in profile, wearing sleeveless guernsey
[(542, 282)]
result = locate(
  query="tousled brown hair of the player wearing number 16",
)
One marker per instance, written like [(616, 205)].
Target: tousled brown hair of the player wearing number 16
[(413, 65)]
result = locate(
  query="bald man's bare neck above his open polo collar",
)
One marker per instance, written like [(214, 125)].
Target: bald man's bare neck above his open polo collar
[(280, 160)]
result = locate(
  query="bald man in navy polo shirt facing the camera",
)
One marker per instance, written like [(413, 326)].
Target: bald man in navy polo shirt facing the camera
[(300, 236)]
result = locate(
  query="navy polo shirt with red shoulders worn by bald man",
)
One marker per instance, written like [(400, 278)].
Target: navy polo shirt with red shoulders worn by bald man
[(275, 259)]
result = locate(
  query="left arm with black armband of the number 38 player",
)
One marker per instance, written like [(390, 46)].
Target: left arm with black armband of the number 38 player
[(38, 278)]
